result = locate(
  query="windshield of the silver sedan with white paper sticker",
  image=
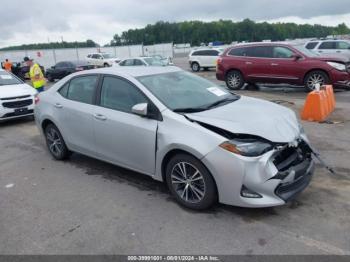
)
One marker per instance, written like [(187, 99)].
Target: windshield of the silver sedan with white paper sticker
[(183, 91)]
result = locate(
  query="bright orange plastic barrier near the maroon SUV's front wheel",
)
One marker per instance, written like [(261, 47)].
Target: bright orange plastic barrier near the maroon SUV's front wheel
[(315, 108)]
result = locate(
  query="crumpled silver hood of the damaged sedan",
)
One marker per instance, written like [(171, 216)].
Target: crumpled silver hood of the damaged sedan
[(254, 117)]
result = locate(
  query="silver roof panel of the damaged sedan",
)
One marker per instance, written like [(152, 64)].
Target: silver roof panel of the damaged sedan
[(133, 71)]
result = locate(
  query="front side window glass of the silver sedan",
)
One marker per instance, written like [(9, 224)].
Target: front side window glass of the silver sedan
[(119, 94)]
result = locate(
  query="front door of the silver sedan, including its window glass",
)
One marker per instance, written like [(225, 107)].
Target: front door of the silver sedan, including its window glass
[(122, 137)]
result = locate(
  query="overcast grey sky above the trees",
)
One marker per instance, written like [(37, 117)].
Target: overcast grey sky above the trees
[(43, 20)]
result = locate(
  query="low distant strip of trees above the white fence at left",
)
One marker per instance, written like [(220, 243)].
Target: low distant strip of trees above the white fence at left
[(53, 45)]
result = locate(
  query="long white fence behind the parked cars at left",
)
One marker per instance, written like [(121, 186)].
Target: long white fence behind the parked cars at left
[(49, 57)]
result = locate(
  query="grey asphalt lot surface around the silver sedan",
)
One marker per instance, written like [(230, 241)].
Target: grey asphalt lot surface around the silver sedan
[(85, 206)]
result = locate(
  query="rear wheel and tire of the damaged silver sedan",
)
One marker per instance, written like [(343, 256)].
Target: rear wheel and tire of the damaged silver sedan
[(59, 150)]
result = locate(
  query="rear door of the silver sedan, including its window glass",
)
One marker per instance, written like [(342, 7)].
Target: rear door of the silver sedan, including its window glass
[(75, 109)]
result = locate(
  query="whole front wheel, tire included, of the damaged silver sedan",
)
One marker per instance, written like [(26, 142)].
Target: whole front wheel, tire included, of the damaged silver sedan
[(199, 193)]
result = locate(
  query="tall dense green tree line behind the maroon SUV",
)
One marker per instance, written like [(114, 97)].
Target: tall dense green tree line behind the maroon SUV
[(227, 31)]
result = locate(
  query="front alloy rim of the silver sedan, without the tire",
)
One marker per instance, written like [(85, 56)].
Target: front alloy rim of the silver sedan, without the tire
[(188, 182)]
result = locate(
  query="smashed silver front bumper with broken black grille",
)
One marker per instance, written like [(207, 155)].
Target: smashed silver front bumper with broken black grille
[(270, 180)]
